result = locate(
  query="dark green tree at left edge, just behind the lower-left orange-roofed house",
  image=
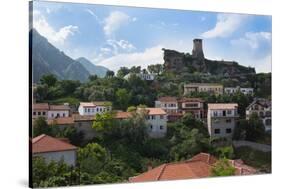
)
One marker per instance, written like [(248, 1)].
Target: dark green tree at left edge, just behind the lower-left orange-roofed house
[(40, 126)]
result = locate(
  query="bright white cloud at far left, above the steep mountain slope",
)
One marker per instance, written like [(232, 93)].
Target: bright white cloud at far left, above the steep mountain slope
[(57, 37)]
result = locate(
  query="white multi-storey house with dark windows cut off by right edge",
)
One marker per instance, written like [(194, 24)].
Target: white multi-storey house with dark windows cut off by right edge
[(262, 107)]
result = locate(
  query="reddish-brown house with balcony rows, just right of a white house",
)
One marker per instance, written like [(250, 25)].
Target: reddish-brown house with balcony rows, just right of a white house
[(194, 106)]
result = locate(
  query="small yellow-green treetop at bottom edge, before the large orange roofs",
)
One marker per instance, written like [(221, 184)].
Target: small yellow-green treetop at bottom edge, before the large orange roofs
[(222, 168)]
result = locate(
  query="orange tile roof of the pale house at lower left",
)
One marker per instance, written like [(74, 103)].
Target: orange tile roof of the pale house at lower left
[(45, 143)]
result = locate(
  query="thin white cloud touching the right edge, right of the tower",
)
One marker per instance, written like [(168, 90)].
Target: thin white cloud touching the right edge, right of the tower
[(254, 40)]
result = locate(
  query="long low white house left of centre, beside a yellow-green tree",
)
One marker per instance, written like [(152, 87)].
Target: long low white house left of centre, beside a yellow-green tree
[(93, 108)]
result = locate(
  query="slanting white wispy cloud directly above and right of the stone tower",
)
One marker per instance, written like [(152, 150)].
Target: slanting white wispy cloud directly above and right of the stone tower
[(225, 26)]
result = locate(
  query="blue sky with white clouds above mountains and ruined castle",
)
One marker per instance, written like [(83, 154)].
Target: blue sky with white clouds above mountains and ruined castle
[(114, 36)]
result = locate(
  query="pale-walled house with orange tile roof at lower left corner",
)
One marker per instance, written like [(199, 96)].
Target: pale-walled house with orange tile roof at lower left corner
[(53, 149)]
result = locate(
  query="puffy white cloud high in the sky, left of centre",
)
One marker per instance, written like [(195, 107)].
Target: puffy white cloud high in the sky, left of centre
[(115, 20)]
